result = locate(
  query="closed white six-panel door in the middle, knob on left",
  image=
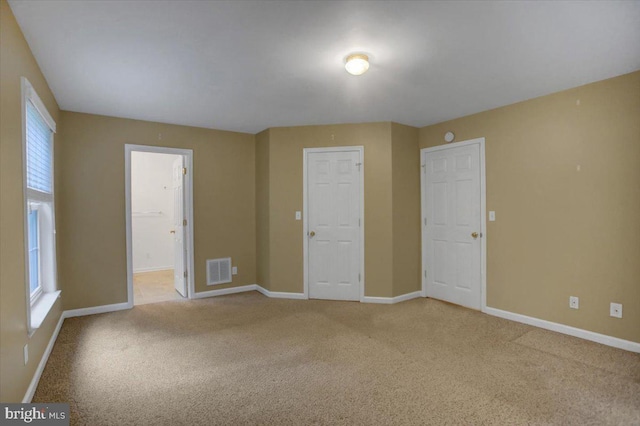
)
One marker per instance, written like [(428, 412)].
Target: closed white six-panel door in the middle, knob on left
[(333, 218)]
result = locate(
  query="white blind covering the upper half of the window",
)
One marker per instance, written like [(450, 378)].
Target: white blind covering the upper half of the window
[(39, 152)]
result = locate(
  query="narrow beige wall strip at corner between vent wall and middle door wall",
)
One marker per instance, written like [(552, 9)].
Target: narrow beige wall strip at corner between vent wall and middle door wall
[(263, 258)]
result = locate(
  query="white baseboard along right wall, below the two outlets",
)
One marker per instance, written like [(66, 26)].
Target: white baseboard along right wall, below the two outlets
[(566, 329)]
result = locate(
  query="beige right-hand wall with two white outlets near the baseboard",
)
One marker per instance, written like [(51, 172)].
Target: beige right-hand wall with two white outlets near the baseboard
[(560, 231)]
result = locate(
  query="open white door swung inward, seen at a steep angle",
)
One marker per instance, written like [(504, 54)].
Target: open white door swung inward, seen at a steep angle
[(180, 280)]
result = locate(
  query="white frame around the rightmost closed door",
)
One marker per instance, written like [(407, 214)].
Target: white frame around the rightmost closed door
[(483, 218)]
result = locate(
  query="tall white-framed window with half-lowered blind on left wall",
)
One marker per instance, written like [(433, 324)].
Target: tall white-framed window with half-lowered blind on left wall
[(39, 129)]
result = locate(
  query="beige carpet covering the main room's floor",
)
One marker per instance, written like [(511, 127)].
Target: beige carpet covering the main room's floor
[(246, 359)]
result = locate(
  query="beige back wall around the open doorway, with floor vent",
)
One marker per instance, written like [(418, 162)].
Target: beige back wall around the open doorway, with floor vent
[(92, 257)]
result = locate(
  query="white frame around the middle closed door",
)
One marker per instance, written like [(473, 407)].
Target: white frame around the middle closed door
[(305, 211)]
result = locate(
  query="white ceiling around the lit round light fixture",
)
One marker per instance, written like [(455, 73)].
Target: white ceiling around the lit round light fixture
[(248, 65)]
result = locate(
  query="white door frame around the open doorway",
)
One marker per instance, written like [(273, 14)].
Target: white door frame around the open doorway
[(187, 154)]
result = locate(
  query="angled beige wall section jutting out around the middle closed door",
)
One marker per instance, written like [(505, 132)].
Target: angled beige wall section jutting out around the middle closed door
[(391, 198)]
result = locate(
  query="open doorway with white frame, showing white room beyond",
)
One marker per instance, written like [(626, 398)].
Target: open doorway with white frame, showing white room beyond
[(158, 224)]
